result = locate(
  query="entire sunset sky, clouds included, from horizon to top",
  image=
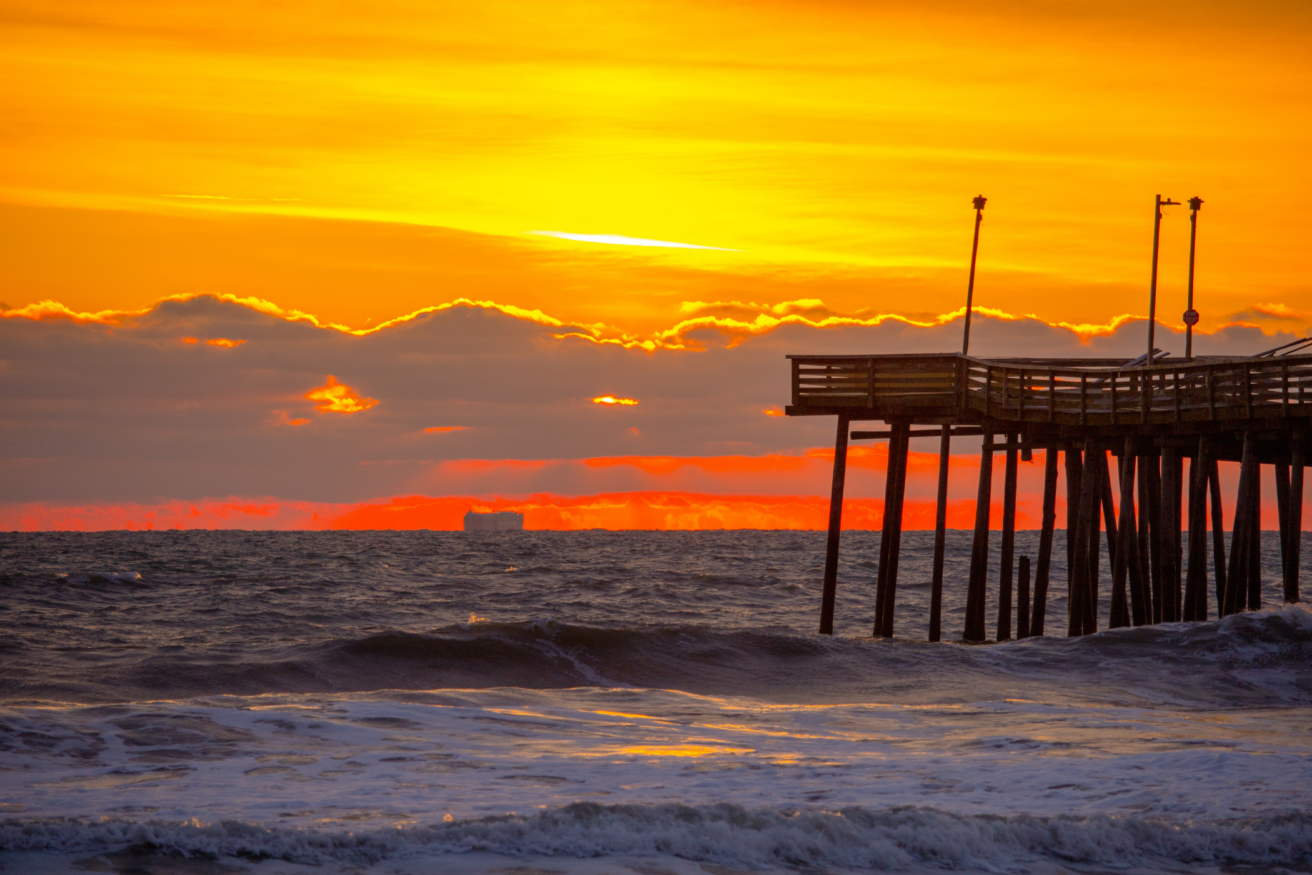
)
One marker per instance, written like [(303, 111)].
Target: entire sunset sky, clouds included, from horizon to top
[(369, 266)]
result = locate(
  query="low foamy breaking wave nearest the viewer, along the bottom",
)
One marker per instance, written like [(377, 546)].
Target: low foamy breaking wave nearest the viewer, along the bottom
[(725, 835)]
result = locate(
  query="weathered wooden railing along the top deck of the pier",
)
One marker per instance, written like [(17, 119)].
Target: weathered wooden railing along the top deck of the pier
[(1057, 392)]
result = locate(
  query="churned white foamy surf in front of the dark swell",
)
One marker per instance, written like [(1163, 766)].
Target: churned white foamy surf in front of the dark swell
[(602, 773)]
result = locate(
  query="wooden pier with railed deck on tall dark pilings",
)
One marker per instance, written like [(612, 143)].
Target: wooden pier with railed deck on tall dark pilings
[(1252, 410)]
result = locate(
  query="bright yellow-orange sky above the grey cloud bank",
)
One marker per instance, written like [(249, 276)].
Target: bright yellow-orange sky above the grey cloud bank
[(363, 161)]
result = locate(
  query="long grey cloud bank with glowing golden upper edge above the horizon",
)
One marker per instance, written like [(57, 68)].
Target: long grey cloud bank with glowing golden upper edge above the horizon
[(124, 413)]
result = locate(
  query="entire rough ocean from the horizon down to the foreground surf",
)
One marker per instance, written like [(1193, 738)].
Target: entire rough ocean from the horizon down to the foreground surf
[(625, 704)]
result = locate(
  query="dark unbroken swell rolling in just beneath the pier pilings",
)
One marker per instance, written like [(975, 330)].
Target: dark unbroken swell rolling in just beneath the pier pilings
[(1244, 661)]
